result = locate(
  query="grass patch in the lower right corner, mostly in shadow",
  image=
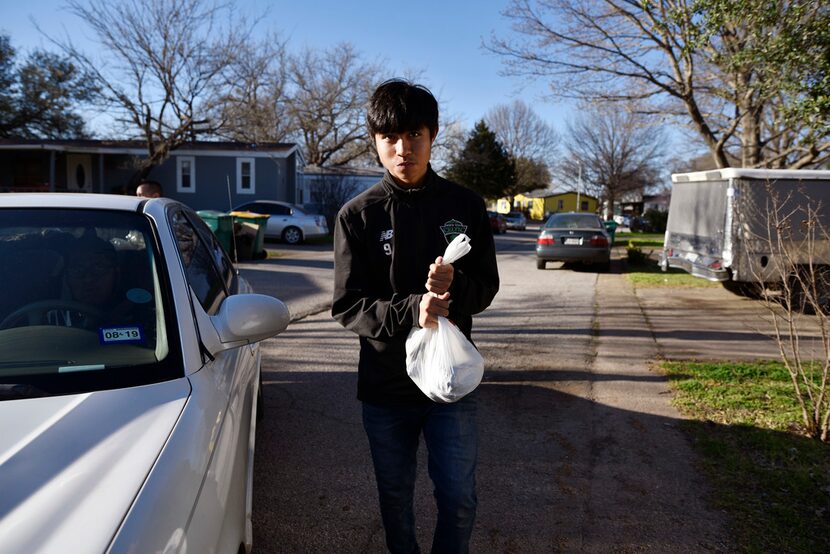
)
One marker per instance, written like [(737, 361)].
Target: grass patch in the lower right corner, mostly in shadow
[(772, 481)]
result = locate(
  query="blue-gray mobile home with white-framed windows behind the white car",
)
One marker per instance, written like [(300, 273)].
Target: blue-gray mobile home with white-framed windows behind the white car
[(202, 174)]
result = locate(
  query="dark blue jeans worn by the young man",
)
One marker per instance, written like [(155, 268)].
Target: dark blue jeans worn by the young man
[(451, 438)]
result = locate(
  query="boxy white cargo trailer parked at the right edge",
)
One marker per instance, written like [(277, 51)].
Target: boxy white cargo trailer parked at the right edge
[(725, 225)]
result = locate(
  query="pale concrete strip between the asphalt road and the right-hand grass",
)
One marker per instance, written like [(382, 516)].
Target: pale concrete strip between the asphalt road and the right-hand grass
[(642, 456)]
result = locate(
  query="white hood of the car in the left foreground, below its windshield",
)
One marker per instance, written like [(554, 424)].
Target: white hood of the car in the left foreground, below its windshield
[(70, 466)]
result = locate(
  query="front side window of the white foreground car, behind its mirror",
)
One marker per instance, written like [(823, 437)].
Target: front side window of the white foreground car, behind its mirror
[(202, 274)]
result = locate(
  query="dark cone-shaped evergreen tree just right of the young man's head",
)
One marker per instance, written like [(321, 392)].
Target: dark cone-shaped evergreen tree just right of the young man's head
[(483, 165)]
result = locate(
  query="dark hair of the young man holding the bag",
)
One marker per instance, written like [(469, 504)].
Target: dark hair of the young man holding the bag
[(398, 105)]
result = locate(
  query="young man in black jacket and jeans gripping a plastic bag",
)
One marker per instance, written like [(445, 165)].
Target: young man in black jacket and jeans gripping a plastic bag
[(386, 241)]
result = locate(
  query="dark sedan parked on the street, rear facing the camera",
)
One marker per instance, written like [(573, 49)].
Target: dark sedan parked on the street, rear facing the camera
[(574, 237)]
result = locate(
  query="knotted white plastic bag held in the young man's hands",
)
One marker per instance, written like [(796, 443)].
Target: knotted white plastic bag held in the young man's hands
[(440, 360)]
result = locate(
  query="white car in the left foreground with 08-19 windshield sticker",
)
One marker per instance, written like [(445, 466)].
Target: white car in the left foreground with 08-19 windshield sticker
[(129, 378)]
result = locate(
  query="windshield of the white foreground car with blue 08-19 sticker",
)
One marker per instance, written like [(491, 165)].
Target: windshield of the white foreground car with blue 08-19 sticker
[(82, 303)]
